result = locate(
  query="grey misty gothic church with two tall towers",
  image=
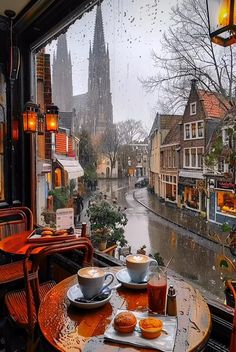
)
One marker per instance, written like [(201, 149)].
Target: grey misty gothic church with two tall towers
[(93, 109)]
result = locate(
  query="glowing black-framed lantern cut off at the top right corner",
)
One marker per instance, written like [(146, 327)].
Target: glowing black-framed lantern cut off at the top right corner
[(222, 21)]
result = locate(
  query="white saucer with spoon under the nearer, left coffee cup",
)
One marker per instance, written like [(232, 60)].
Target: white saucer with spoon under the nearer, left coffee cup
[(75, 292)]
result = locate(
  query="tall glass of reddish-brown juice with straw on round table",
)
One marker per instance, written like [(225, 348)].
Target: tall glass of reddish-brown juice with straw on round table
[(156, 290)]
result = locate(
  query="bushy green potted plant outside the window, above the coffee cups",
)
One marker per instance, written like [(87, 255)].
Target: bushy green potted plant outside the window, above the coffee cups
[(107, 223)]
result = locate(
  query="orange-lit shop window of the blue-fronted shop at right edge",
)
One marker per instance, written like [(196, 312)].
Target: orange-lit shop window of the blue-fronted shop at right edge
[(226, 202)]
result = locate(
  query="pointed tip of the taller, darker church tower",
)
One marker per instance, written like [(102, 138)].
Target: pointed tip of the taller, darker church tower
[(99, 47)]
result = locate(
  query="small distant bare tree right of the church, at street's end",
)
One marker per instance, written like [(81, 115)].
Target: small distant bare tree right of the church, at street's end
[(131, 131)]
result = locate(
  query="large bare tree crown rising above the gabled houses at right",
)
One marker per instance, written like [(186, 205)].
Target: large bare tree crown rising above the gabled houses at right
[(188, 53)]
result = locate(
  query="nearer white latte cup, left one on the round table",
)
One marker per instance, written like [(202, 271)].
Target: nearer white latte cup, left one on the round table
[(92, 281)]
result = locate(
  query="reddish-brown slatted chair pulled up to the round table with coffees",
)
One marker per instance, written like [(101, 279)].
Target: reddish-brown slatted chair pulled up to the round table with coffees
[(23, 305)]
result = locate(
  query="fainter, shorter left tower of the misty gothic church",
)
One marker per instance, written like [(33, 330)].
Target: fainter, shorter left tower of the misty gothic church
[(62, 76)]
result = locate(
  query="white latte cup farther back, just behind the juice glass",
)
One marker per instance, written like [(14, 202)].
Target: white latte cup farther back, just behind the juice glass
[(137, 266)]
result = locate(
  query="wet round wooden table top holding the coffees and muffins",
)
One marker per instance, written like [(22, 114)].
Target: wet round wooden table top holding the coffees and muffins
[(68, 328)]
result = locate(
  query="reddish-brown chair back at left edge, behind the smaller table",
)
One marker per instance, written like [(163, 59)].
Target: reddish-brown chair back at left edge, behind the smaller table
[(15, 220)]
